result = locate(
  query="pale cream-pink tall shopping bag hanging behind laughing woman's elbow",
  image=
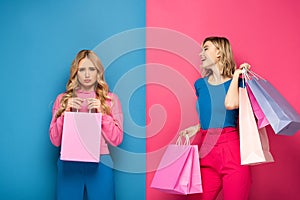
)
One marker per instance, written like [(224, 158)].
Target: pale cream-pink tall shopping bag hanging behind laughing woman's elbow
[(251, 146)]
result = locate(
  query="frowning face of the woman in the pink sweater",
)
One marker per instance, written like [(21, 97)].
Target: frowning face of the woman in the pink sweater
[(87, 74)]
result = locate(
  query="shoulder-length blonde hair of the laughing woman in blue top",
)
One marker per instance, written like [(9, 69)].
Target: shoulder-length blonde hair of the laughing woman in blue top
[(226, 60)]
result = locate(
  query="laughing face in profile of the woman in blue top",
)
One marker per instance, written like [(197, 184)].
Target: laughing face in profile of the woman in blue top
[(209, 55)]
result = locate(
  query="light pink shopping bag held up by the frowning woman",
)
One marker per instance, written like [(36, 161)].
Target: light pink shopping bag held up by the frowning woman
[(81, 137)]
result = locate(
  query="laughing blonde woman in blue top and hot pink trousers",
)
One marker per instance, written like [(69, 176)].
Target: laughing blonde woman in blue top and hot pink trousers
[(217, 134)]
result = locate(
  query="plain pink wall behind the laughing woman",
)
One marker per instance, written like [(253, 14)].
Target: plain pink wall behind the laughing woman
[(263, 33)]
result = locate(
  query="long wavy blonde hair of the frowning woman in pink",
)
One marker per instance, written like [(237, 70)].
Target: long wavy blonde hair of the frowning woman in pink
[(101, 87)]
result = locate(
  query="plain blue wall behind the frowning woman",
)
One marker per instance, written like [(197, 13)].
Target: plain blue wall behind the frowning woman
[(39, 39)]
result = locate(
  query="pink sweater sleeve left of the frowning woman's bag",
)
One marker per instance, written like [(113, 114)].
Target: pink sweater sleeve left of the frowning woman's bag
[(56, 124)]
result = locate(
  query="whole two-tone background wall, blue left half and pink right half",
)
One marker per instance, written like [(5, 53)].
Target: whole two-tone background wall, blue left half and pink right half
[(150, 52)]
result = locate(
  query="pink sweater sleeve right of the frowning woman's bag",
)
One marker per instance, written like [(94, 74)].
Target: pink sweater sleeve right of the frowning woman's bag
[(112, 125)]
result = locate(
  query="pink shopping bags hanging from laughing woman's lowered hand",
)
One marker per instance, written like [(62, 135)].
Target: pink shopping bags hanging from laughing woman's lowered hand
[(179, 170)]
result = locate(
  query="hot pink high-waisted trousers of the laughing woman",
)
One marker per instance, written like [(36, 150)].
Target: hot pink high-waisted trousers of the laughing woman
[(220, 165)]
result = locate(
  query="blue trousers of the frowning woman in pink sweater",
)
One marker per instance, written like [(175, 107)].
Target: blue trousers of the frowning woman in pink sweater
[(74, 177)]
